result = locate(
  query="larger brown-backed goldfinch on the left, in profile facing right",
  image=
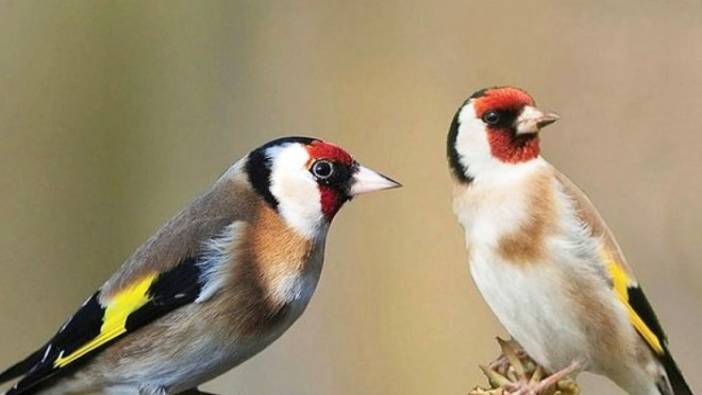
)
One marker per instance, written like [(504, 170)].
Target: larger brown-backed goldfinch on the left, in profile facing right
[(215, 285)]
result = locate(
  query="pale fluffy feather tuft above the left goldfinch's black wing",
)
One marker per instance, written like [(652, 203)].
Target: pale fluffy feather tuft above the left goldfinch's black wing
[(219, 253)]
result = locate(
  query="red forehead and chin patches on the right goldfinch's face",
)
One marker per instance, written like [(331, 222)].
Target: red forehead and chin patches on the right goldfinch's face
[(505, 145)]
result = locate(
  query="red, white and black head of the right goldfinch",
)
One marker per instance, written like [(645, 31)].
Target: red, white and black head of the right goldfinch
[(493, 128)]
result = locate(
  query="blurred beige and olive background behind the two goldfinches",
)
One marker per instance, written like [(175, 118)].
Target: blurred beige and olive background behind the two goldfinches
[(113, 115)]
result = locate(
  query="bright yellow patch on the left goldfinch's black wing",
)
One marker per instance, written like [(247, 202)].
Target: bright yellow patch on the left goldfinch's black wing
[(114, 321)]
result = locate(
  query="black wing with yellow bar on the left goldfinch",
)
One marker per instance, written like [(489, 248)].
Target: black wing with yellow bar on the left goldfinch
[(95, 326)]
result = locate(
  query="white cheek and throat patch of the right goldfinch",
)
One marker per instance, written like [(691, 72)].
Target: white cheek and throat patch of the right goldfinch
[(475, 155)]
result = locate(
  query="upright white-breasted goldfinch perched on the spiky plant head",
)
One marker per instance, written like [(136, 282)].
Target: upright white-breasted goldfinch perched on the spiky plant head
[(543, 258)]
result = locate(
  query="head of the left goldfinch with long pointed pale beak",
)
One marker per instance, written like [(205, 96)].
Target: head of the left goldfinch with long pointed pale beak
[(307, 180)]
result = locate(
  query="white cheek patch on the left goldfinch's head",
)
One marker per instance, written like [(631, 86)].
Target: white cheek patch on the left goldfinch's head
[(296, 190)]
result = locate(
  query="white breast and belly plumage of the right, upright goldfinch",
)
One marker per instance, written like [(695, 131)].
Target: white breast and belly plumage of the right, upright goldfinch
[(529, 299)]
